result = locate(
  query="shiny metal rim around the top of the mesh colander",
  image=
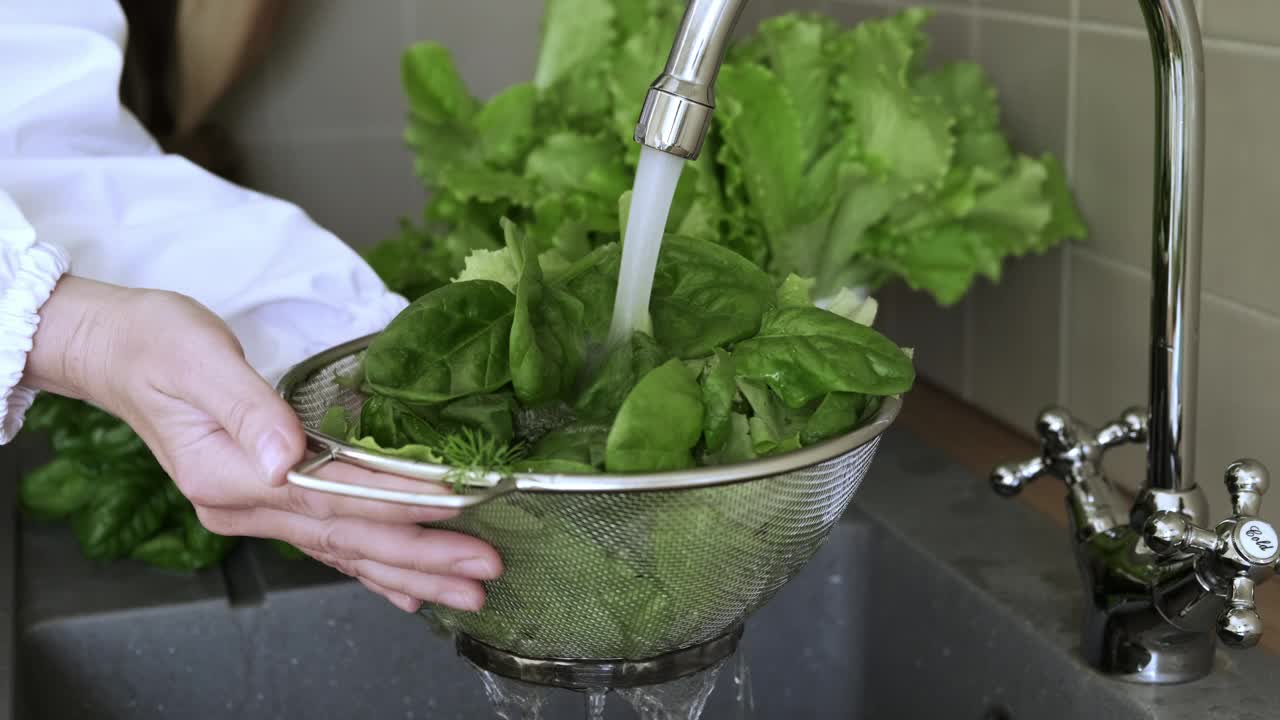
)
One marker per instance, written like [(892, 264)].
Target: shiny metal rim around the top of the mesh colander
[(707, 476)]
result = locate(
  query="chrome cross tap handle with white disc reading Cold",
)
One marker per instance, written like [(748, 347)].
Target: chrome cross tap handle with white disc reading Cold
[(1233, 557)]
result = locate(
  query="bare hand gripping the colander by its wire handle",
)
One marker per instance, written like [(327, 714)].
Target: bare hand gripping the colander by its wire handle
[(176, 373)]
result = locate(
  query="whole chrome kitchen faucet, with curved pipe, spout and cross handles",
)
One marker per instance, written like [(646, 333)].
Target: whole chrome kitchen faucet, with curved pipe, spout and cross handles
[(1159, 584)]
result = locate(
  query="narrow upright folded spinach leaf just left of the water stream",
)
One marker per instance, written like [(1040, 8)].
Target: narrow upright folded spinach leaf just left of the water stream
[(547, 347)]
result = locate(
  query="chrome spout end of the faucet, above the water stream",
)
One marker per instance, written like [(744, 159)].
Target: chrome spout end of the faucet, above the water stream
[(678, 111)]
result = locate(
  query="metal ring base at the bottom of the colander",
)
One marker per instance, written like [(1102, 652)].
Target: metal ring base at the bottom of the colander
[(591, 675)]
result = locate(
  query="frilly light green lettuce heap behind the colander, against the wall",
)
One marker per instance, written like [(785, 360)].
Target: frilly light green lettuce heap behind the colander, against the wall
[(835, 154)]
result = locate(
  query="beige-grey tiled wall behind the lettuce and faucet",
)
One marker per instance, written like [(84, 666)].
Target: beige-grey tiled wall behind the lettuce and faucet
[(1075, 79)]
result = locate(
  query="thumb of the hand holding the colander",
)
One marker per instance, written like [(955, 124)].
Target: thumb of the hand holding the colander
[(254, 416)]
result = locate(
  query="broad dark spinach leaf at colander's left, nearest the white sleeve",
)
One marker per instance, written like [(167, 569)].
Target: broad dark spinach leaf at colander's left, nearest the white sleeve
[(451, 343)]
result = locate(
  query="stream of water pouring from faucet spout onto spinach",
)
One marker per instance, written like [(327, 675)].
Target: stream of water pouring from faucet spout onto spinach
[(651, 203)]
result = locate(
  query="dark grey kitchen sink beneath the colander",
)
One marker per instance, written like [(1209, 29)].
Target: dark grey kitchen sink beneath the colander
[(920, 607)]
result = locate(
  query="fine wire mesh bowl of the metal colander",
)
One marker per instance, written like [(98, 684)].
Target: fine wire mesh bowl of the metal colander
[(630, 575)]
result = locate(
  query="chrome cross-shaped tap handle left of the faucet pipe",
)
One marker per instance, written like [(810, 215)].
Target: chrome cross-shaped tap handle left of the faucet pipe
[(1069, 449)]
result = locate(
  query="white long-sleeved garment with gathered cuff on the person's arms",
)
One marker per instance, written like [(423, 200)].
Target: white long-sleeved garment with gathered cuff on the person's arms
[(81, 180)]
